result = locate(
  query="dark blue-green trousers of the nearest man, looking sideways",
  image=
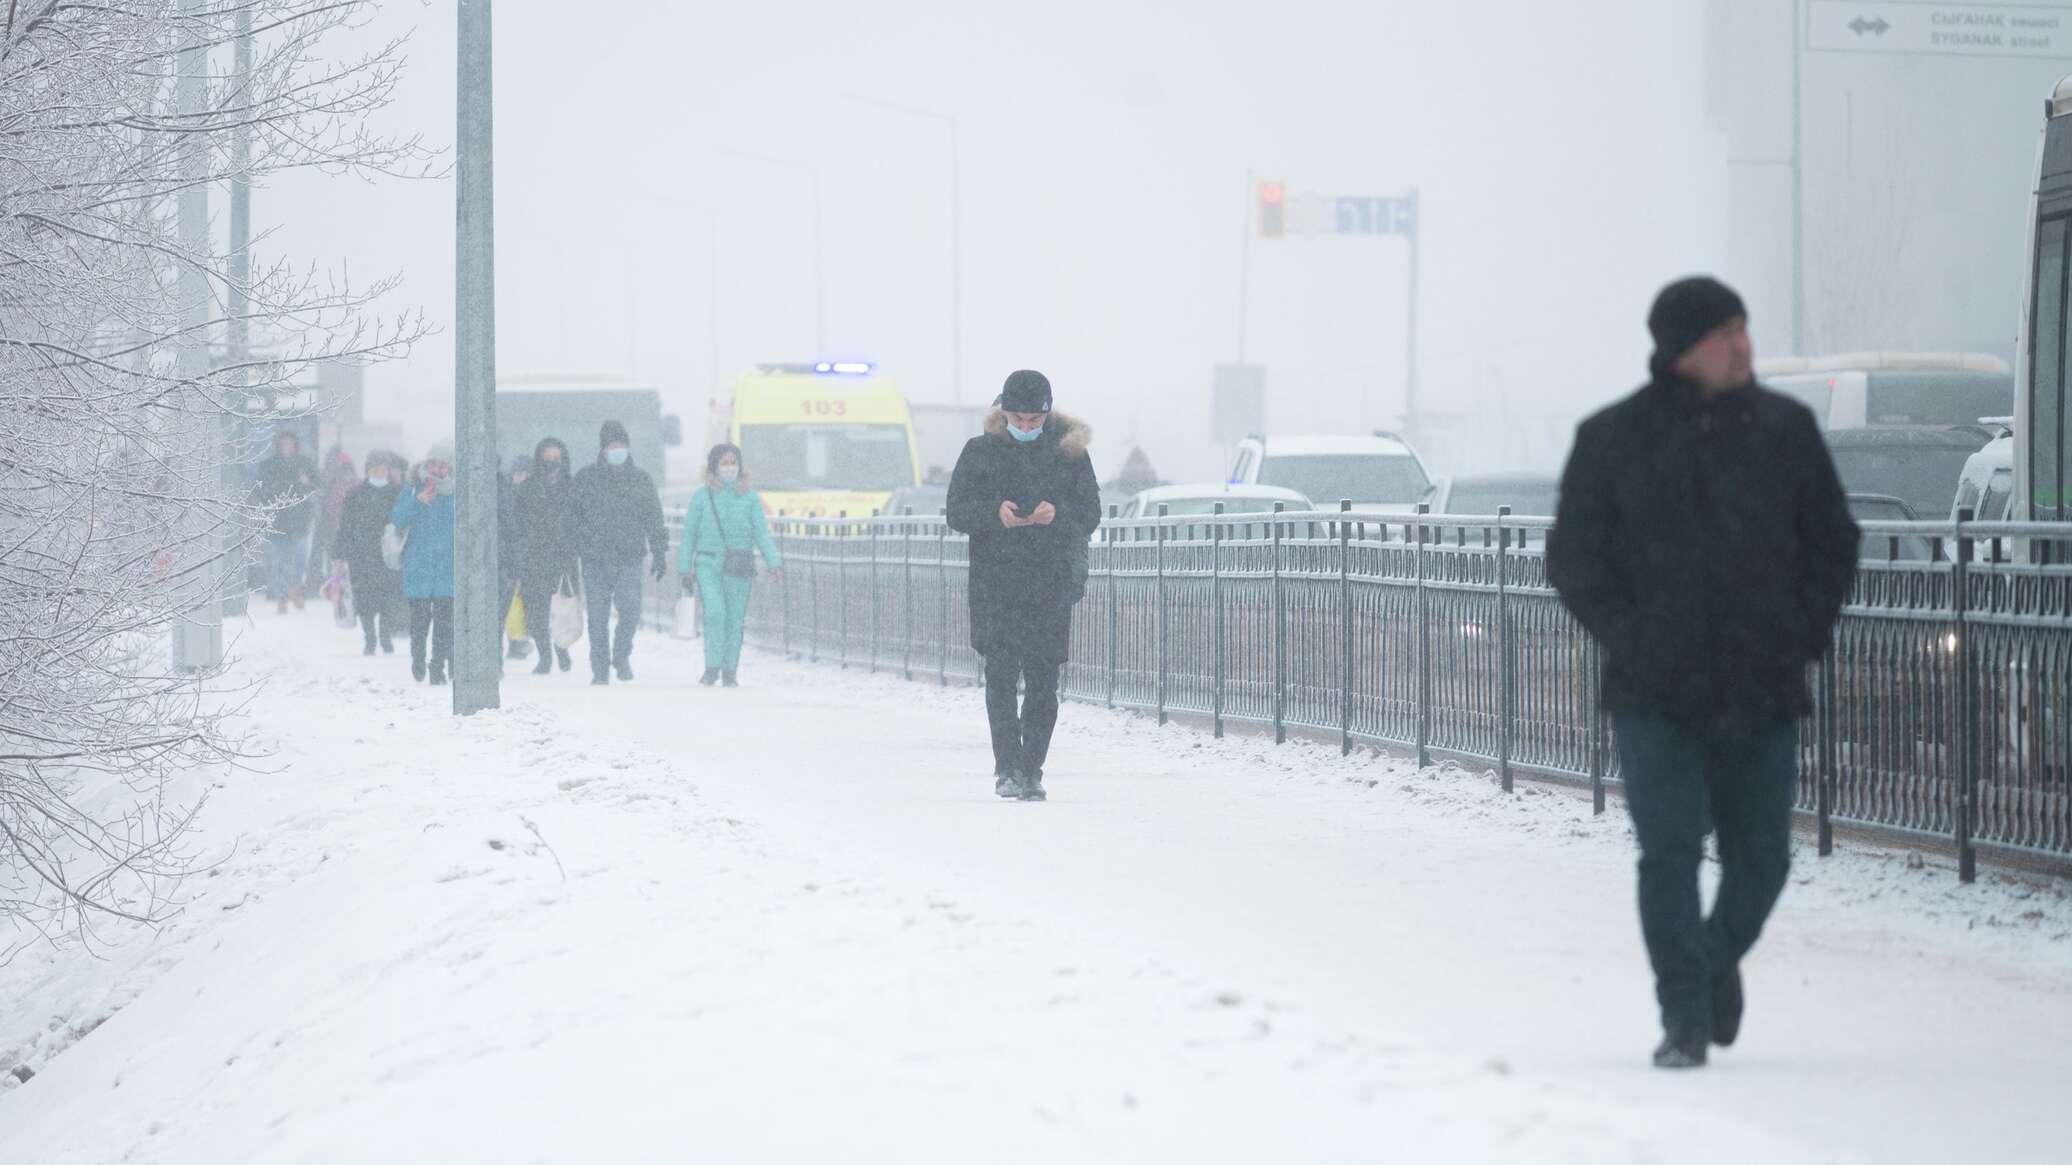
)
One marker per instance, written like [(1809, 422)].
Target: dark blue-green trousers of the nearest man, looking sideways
[(1673, 776)]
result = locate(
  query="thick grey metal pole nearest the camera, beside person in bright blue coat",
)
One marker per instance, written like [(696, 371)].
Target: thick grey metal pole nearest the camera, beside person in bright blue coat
[(478, 600)]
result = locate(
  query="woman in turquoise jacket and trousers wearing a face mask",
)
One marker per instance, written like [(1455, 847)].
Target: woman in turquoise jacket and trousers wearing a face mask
[(726, 515)]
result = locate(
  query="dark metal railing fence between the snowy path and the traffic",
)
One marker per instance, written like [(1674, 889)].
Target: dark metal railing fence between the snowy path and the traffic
[(1942, 710)]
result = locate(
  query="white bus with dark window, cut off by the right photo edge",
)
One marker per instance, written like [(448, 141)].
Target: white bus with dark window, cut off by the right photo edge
[(2042, 478)]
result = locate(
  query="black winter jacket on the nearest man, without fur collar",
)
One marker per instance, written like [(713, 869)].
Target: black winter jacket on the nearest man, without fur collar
[(1706, 544)]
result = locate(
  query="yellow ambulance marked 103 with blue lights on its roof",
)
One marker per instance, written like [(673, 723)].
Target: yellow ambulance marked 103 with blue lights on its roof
[(822, 441)]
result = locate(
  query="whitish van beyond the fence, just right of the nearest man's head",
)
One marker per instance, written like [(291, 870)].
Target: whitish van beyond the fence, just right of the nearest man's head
[(1870, 391)]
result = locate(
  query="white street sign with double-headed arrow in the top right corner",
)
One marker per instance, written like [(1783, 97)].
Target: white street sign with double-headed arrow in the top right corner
[(1940, 30)]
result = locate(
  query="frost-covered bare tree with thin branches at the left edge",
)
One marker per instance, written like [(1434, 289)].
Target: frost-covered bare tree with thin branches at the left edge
[(119, 411)]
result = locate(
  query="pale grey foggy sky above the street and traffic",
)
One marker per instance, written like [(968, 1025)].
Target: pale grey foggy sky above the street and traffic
[(1563, 154)]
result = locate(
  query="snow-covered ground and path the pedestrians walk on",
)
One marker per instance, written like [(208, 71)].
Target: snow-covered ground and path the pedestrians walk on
[(790, 924)]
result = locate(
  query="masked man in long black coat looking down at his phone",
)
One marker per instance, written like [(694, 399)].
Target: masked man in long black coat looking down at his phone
[(1027, 494)]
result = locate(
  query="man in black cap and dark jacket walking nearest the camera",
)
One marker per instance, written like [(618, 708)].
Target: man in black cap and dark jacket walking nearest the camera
[(1706, 544)]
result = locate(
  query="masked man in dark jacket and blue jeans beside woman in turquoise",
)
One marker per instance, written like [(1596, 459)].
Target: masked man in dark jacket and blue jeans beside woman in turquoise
[(618, 519)]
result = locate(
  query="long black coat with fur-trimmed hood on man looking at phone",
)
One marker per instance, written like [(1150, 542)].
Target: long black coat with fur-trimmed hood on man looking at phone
[(1025, 581)]
